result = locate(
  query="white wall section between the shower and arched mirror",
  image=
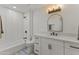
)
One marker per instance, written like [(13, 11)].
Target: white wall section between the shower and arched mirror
[(39, 21)]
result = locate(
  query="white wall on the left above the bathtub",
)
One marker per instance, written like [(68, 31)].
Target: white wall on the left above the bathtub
[(13, 28)]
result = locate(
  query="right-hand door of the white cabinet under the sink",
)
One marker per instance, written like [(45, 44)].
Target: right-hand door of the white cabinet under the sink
[(57, 47)]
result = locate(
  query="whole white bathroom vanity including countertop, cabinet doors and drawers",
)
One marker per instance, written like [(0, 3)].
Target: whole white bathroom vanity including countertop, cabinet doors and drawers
[(55, 45)]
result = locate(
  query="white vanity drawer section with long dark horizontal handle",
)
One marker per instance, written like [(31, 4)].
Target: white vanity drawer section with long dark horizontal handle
[(71, 49)]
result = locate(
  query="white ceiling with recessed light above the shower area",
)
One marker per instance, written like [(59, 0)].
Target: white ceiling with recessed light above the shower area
[(22, 7)]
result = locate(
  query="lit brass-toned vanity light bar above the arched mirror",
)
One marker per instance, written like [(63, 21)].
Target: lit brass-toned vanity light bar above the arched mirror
[(54, 8)]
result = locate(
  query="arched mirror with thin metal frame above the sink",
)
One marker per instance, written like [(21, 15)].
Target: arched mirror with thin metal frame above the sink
[(55, 23)]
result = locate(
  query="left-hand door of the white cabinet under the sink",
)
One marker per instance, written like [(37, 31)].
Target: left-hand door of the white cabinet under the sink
[(44, 49)]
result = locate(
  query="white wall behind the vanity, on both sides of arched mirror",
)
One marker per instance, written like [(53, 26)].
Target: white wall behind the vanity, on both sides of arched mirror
[(70, 16)]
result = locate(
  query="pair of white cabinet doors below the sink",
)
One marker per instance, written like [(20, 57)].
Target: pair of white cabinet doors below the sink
[(51, 47)]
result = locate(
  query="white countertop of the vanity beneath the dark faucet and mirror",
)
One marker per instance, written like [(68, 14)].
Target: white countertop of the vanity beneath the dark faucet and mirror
[(72, 39)]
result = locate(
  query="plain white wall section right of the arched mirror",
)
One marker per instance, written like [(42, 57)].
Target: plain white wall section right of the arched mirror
[(71, 18)]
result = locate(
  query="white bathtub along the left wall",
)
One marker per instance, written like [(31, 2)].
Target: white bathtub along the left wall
[(11, 48)]
